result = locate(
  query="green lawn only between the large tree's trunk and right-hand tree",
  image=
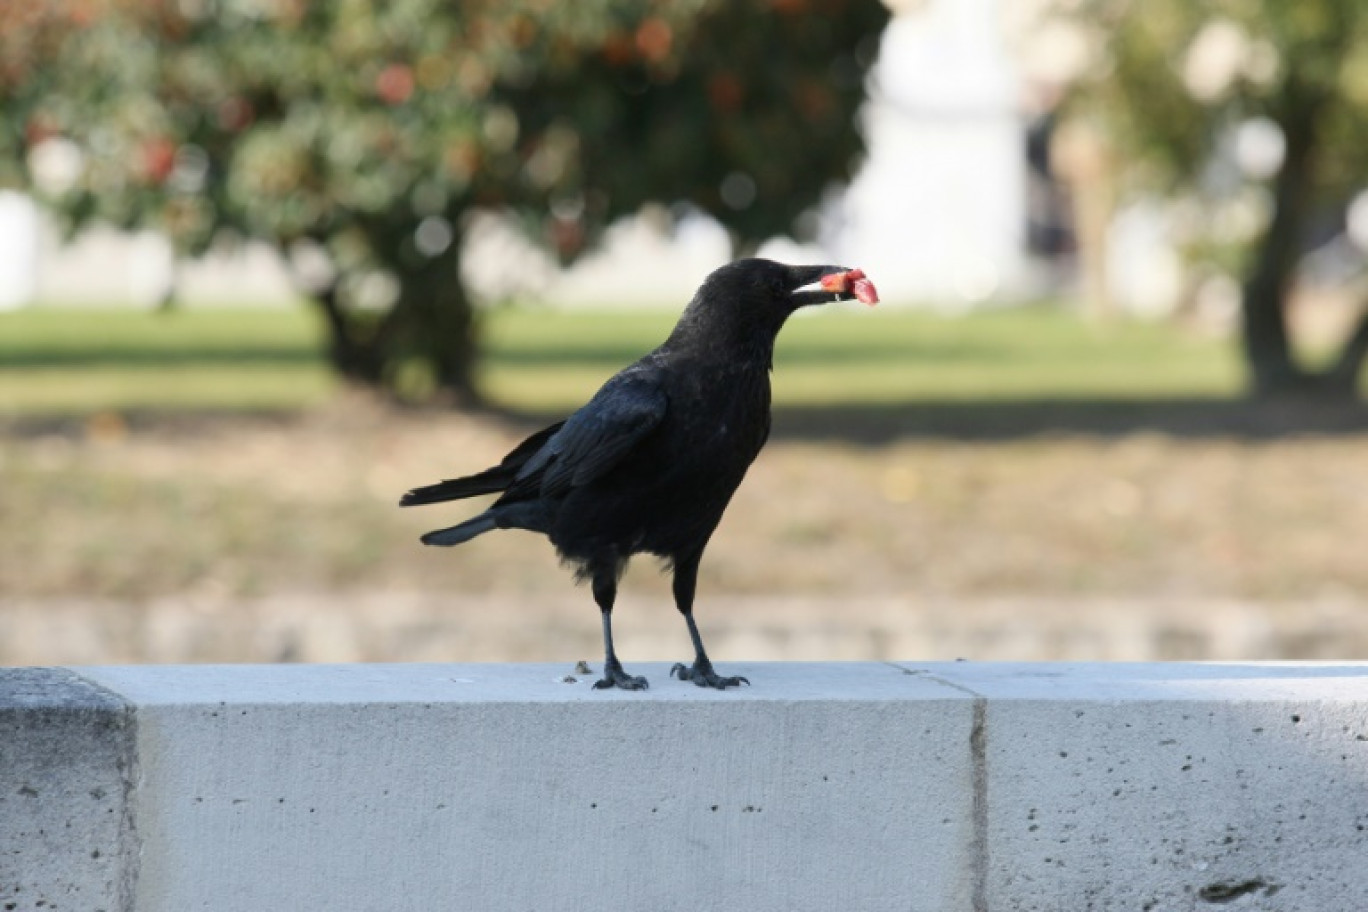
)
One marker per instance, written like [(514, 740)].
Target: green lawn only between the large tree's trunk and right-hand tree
[(553, 360)]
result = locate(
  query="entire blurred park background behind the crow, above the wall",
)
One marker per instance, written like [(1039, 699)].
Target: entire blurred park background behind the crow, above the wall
[(266, 265)]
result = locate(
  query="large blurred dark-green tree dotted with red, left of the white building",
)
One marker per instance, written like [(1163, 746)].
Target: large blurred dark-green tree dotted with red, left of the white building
[(367, 131)]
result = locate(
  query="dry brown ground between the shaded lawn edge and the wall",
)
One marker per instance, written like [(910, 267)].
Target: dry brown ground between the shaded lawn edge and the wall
[(254, 539)]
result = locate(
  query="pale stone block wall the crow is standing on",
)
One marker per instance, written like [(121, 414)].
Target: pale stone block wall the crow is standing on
[(936, 787)]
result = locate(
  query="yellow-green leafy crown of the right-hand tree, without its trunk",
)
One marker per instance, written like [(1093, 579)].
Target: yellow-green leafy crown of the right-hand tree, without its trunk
[(1173, 79)]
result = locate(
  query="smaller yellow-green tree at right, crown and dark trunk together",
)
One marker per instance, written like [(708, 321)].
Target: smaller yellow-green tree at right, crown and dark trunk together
[(1225, 96)]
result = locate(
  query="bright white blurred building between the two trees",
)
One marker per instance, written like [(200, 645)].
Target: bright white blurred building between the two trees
[(938, 214)]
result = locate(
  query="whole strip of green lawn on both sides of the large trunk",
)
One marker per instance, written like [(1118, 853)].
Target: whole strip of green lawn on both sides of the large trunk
[(61, 362)]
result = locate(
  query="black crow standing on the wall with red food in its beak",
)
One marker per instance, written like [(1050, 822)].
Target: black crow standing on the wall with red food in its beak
[(652, 461)]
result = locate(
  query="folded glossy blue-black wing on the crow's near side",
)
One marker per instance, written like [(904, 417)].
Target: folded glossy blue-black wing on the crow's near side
[(596, 438)]
